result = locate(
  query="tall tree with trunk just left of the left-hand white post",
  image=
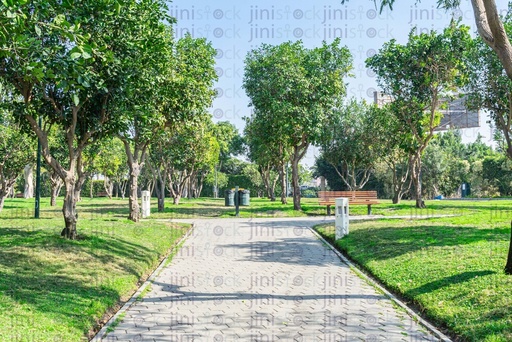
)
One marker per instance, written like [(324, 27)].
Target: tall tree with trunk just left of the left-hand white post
[(138, 105)]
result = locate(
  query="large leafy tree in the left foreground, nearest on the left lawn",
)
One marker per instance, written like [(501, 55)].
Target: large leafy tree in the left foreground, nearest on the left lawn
[(77, 59)]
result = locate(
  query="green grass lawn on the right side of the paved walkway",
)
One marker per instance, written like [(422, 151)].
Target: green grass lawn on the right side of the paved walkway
[(450, 268)]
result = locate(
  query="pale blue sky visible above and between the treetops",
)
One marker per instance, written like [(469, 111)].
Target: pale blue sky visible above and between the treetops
[(235, 27)]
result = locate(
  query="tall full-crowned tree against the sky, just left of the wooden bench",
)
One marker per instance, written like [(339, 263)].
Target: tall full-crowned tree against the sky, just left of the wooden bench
[(296, 89)]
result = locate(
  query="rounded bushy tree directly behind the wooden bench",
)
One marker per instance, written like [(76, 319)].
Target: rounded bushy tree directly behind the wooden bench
[(351, 143)]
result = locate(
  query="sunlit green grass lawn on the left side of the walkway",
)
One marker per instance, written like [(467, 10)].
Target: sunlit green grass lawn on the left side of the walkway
[(52, 289)]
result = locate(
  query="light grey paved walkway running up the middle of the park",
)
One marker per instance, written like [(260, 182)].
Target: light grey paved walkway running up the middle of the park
[(262, 280)]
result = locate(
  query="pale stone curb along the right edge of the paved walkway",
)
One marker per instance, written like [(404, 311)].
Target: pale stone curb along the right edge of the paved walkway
[(442, 337)]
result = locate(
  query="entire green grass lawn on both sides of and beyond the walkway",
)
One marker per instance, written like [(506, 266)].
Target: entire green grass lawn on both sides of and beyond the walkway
[(52, 289)]
